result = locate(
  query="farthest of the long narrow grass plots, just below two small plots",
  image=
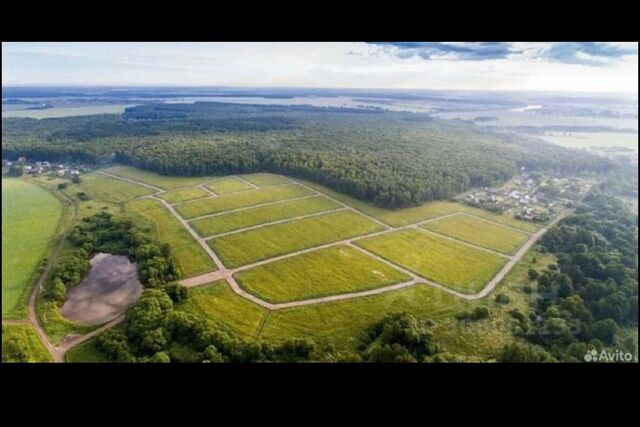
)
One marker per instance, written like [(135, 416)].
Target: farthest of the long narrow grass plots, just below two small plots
[(240, 200)]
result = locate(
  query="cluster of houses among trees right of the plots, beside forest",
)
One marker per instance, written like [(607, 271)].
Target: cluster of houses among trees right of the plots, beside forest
[(531, 197)]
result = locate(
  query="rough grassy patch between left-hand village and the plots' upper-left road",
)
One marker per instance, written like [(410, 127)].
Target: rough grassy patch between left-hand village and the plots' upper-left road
[(104, 189)]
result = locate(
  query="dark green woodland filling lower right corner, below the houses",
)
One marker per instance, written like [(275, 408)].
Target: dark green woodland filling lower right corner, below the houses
[(586, 301)]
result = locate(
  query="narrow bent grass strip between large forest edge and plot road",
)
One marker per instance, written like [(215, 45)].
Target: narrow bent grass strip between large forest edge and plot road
[(412, 215)]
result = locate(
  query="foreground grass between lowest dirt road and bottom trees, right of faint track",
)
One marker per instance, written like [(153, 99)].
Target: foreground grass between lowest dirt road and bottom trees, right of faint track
[(341, 322)]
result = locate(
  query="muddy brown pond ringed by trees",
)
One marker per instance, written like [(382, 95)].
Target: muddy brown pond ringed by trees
[(111, 286)]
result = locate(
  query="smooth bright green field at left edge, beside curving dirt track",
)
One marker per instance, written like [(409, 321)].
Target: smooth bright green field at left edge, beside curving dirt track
[(30, 216)]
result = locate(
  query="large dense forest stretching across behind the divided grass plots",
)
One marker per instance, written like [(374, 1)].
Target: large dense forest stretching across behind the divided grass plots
[(392, 159)]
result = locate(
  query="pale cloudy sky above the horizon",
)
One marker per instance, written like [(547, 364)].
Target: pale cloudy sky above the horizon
[(581, 67)]
